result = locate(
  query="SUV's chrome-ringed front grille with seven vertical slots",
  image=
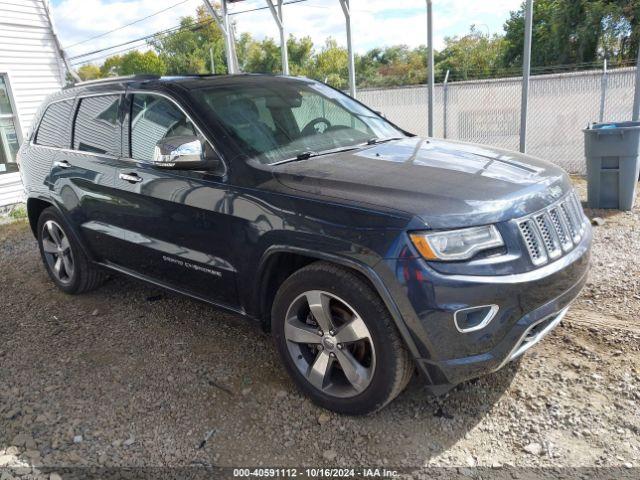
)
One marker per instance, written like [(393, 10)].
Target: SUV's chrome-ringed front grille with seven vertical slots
[(549, 233)]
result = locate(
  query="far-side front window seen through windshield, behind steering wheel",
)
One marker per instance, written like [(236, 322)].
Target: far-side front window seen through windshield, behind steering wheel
[(315, 107)]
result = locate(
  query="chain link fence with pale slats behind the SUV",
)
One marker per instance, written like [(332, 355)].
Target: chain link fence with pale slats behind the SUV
[(488, 111)]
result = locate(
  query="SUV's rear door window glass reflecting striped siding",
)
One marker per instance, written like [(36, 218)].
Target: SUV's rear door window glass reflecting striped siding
[(96, 128)]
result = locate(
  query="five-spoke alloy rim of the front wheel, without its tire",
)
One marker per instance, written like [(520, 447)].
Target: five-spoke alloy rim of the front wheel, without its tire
[(330, 344)]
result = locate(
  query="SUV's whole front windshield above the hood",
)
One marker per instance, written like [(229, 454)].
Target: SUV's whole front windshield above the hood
[(276, 121)]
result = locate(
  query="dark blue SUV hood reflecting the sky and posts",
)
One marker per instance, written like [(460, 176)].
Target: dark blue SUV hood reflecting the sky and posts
[(445, 184)]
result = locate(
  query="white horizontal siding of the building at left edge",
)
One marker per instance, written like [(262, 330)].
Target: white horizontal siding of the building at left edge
[(28, 54)]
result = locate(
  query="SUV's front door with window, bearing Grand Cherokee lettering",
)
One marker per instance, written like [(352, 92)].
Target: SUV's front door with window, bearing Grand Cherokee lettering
[(175, 223)]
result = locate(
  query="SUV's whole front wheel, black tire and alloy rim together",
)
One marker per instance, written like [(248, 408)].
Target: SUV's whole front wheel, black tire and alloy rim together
[(338, 341)]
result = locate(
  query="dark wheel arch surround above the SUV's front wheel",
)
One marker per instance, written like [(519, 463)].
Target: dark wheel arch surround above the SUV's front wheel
[(270, 277)]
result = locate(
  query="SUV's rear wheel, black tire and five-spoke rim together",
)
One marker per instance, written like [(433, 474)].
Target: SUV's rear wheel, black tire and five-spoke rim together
[(63, 258)]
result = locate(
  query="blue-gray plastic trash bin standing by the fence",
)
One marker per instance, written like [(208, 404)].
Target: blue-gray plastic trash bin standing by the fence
[(613, 164)]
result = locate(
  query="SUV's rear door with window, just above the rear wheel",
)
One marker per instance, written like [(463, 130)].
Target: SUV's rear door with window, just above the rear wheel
[(83, 175)]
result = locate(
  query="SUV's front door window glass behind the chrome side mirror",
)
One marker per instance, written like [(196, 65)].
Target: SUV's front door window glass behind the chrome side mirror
[(152, 119)]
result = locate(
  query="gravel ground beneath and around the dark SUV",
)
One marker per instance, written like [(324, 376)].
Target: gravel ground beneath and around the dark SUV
[(130, 375)]
